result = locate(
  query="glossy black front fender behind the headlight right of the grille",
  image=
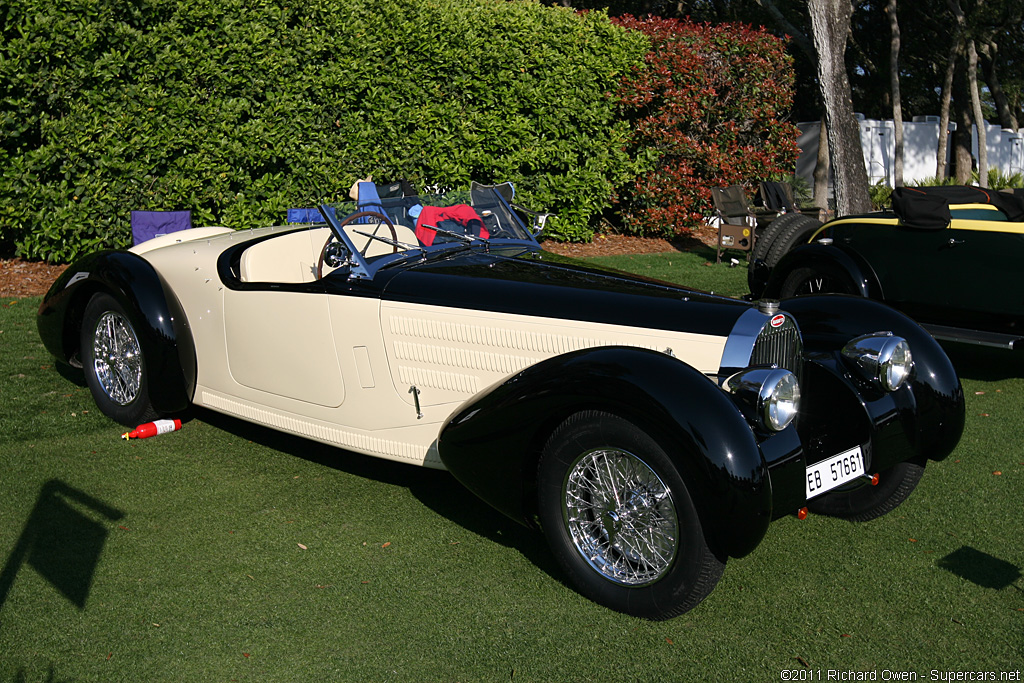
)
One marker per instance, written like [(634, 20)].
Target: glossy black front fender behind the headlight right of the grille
[(922, 420)]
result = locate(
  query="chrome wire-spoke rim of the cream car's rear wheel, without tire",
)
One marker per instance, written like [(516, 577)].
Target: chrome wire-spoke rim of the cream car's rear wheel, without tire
[(117, 359)]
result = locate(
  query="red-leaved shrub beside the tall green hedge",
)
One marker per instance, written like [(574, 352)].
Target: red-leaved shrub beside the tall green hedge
[(709, 108)]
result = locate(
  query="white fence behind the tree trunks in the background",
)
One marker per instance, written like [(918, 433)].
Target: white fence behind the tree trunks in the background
[(921, 141)]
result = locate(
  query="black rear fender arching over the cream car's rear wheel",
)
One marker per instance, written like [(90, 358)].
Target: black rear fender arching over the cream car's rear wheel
[(151, 306)]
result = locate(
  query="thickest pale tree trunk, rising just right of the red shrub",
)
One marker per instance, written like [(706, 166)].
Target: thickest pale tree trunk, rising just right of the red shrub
[(830, 26)]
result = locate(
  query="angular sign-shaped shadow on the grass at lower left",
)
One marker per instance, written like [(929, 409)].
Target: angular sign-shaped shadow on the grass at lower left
[(63, 541)]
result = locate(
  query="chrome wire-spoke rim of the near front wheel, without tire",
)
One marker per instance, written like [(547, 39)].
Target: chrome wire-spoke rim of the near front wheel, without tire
[(621, 517)]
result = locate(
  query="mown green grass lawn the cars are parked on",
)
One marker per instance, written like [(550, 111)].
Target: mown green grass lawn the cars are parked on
[(226, 552)]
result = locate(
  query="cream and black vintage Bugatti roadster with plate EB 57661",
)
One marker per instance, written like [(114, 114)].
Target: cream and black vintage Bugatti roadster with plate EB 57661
[(652, 432)]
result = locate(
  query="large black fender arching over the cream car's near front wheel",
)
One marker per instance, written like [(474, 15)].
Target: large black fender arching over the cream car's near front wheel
[(493, 444)]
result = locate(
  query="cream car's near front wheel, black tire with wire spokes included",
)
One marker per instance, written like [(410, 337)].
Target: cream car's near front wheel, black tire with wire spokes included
[(620, 521)]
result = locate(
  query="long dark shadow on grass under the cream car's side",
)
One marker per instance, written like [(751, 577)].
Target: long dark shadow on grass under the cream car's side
[(436, 489)]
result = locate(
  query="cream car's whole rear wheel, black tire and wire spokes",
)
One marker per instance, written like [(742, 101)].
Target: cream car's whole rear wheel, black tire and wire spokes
[(114, 363)]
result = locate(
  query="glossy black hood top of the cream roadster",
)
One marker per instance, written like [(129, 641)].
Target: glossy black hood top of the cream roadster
[(540, 284)]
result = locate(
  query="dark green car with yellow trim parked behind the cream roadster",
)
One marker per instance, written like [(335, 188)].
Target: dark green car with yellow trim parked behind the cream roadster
[(949, 258)]
